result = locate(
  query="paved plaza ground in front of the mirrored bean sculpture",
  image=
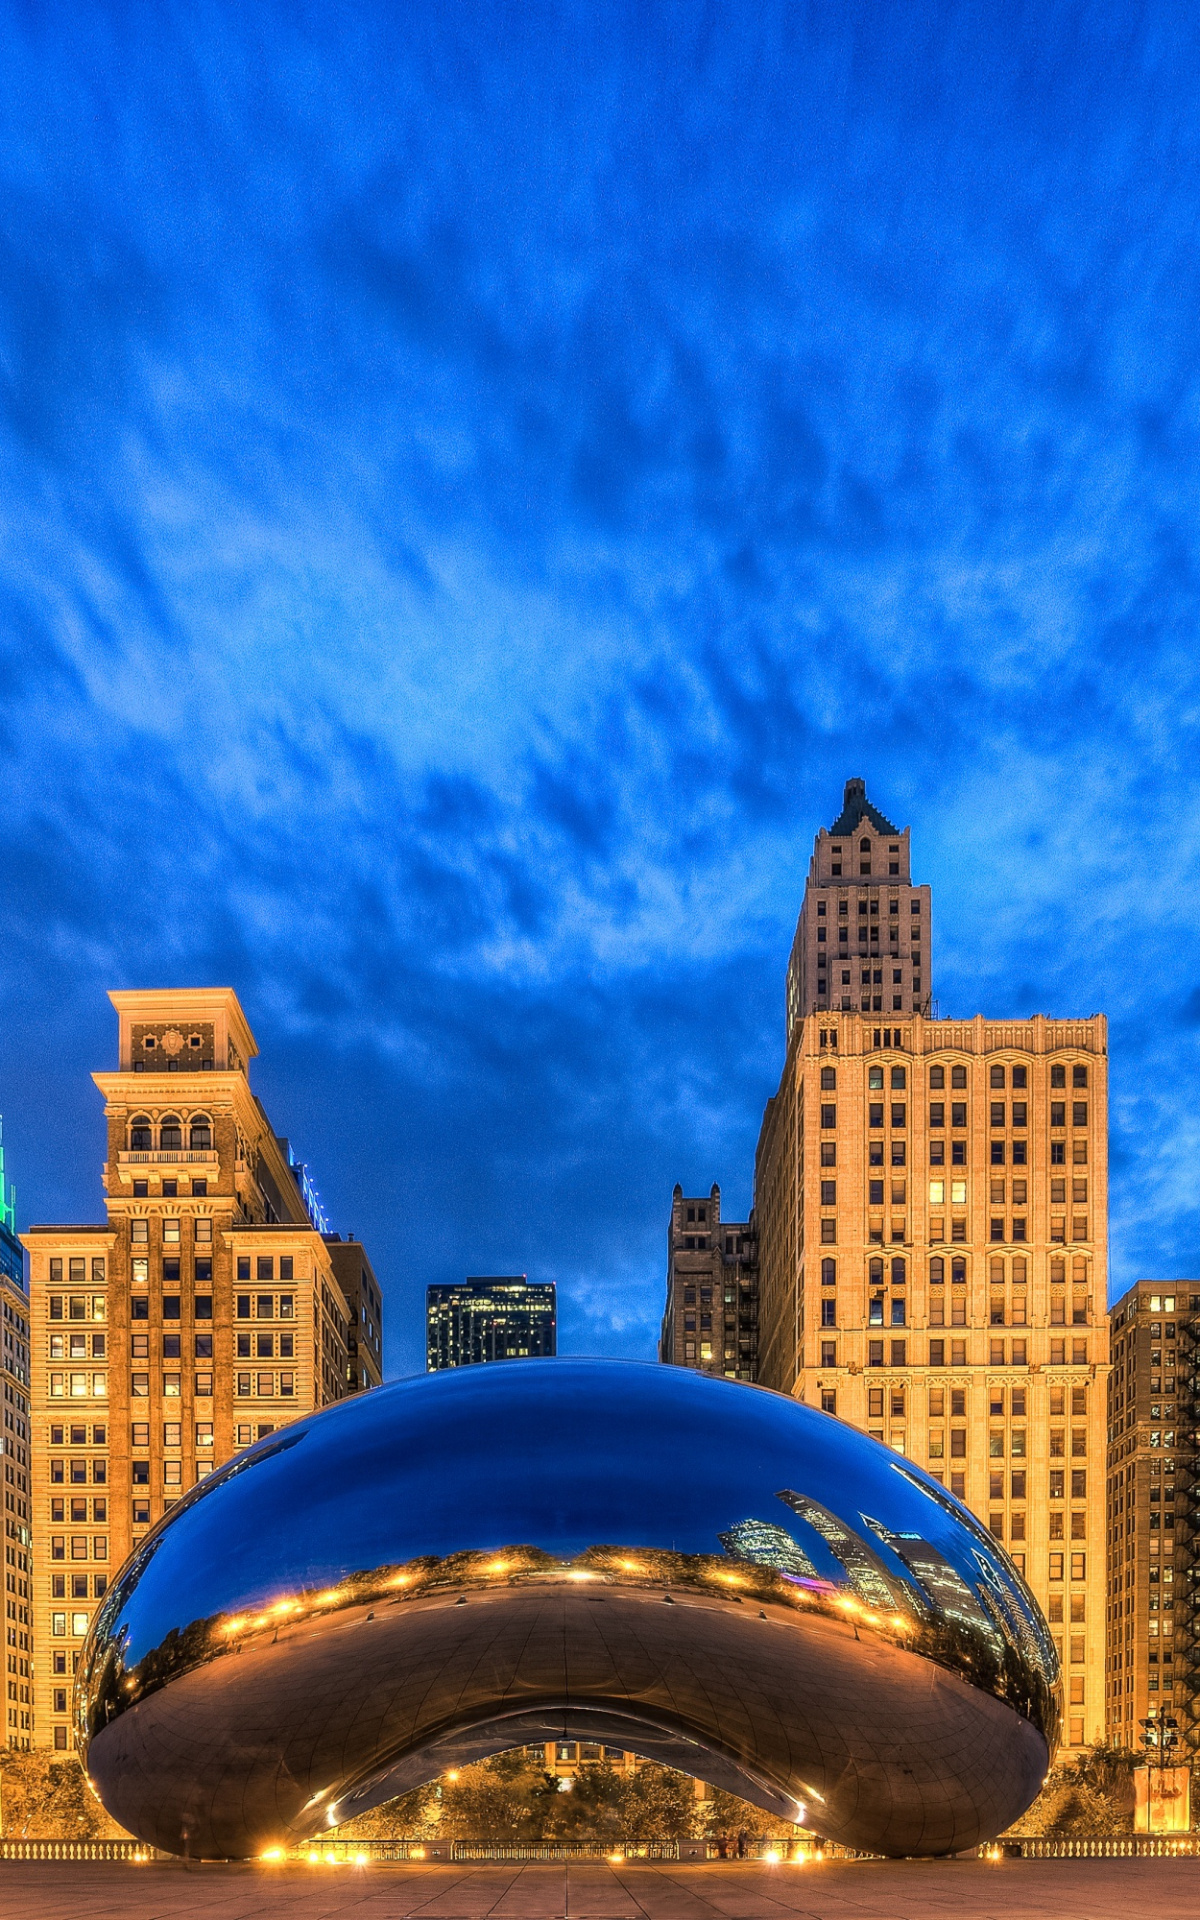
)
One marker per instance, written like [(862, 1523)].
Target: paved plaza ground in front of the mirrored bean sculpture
[(848, 1890)]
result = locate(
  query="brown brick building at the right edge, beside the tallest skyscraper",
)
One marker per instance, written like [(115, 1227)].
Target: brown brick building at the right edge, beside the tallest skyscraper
[(1151, 1548)]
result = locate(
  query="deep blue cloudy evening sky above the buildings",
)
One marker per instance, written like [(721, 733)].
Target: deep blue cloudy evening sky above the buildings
[(473, 485)]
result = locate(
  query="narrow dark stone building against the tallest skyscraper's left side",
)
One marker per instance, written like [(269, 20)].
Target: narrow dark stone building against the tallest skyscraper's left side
[(711, 1314)]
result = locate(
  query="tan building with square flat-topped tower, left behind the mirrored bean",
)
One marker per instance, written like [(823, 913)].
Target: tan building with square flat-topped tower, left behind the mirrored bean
[(204, 1314)]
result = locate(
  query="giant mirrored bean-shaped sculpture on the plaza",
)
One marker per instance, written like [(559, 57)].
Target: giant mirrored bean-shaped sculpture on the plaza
[(704, 1573)]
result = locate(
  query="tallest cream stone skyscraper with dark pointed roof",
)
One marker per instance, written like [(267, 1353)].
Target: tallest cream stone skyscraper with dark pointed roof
[(932, 1203)]
